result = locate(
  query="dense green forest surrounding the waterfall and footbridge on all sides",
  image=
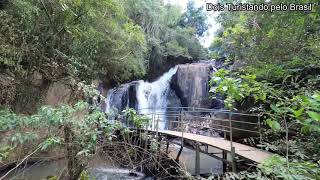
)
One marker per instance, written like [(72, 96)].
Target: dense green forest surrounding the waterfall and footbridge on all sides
[(271, 66)]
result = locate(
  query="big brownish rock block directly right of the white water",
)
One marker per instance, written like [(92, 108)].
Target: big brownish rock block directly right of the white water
[(191, 84)]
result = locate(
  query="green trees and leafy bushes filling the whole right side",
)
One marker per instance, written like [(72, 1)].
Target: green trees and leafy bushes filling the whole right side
[(279, 57)]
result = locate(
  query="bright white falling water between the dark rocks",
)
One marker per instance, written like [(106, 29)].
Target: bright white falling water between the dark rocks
[(152, 97)]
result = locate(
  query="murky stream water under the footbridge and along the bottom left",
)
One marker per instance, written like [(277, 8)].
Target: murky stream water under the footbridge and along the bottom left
[(101, 169)]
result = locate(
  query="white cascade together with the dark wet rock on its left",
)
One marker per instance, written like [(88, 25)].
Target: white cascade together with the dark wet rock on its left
[(144, 96)]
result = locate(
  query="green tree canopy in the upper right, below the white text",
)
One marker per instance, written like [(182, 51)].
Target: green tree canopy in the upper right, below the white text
[(264, 37)]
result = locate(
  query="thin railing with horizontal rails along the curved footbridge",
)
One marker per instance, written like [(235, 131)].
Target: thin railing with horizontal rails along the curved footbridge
[(210, 122)]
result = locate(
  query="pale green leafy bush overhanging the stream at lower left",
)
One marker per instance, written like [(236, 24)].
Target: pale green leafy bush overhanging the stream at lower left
[(85, 129)]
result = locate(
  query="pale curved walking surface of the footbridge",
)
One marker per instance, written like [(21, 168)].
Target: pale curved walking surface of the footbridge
[(245, 151)]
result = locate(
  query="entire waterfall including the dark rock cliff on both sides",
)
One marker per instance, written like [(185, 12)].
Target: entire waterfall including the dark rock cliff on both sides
[(189, 88)]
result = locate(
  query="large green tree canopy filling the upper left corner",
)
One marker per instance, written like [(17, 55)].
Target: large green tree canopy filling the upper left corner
[(78, 38)]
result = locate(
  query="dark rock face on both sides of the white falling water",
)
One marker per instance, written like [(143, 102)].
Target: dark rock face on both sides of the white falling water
[(189, 87)]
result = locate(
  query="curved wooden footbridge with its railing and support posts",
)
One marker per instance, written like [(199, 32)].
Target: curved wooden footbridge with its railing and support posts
[(187, 123)]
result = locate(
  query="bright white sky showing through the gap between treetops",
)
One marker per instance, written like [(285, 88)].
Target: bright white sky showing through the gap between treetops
[(207, 39)]
